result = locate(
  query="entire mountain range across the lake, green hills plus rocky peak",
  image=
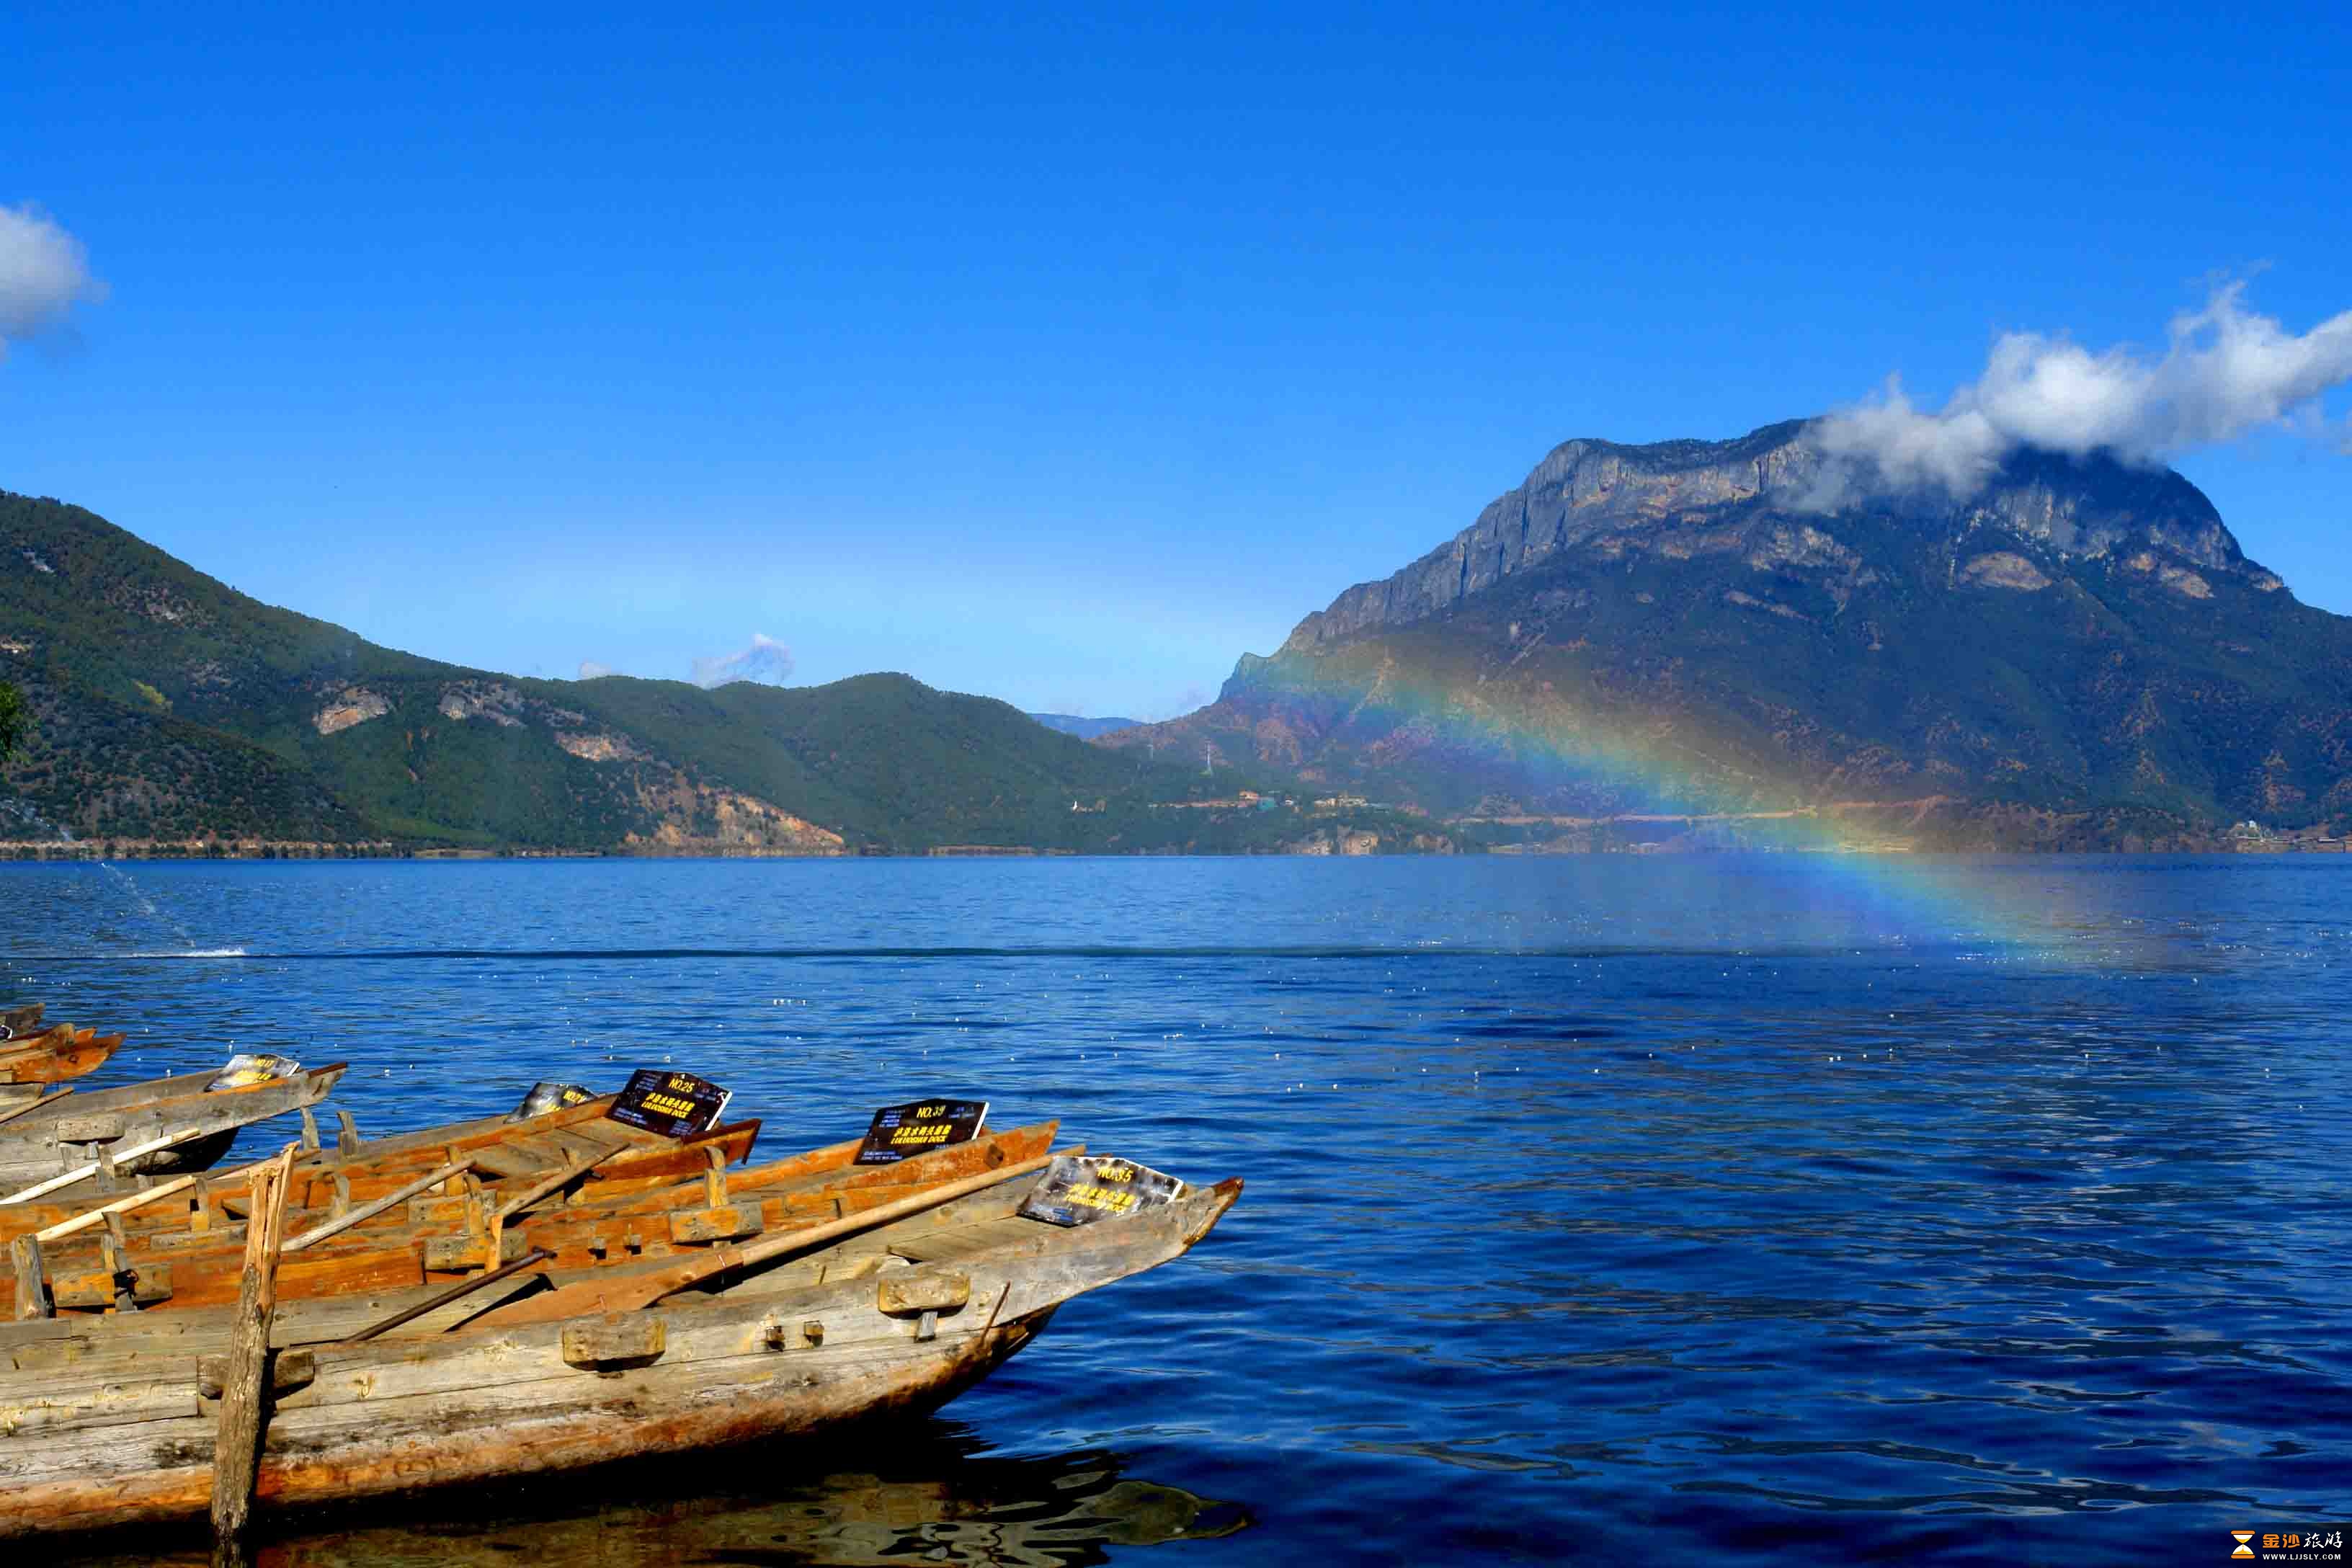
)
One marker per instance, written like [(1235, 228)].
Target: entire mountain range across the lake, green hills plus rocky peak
[(1702, 634)]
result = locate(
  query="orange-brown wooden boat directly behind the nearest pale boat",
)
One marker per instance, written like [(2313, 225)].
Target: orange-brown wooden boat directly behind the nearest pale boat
[(446, 1238)]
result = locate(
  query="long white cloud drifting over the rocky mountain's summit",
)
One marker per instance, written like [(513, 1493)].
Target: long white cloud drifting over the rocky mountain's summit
[(2224, 375)]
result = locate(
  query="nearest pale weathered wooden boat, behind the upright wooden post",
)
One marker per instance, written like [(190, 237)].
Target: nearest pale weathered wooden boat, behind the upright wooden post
[(112, 1426)]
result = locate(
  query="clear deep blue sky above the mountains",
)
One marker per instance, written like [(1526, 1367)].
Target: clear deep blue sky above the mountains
[(1069, 356)]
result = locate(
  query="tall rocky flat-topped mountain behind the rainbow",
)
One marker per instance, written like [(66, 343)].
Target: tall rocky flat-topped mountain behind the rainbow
[(1720, 626)]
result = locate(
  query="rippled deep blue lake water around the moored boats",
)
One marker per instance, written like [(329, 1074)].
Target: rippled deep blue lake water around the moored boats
[(1641, 1209)]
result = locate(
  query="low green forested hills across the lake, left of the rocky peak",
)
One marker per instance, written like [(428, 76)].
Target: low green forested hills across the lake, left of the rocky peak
[(171, 706)]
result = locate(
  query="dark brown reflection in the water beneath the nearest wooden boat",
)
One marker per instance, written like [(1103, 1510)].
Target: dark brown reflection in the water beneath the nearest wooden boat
[(904, 1494)]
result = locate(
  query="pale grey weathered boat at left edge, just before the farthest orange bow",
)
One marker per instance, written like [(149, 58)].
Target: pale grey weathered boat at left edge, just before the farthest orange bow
[(67, 1132)]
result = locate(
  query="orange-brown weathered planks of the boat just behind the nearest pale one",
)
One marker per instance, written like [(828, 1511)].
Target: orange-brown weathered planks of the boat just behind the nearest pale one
[(434, 1235)]
